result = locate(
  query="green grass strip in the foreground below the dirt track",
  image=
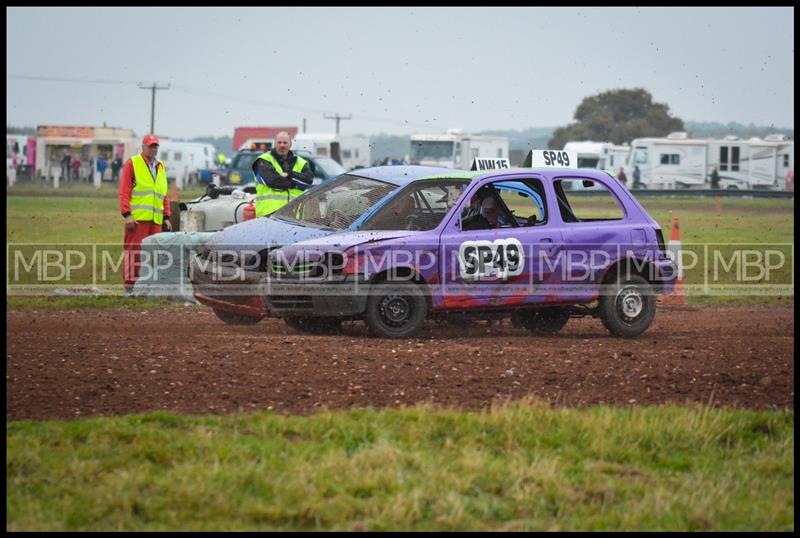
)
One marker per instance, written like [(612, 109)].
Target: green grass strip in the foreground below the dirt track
[(521, 466)]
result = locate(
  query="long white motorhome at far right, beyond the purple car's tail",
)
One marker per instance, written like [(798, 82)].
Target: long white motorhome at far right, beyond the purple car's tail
[(677, 161)]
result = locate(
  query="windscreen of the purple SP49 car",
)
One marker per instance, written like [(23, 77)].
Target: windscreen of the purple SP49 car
[(420, 206)]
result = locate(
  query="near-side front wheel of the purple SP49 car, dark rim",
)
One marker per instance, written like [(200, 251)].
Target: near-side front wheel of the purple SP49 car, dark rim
[(396, 310)]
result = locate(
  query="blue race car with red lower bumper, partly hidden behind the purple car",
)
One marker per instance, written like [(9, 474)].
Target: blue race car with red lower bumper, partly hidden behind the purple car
[(228, 270)]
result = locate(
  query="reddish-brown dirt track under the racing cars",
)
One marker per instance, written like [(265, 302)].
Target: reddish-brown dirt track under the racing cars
[(82, 363)]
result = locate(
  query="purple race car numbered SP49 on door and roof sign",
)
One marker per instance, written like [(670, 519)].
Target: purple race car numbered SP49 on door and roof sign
[(533, 244)]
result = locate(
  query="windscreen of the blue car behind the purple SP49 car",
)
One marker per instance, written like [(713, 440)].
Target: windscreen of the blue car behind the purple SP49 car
[(336, 204)]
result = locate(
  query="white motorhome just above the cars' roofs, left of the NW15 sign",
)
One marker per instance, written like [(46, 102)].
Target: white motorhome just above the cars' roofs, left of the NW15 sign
[(455, 149)]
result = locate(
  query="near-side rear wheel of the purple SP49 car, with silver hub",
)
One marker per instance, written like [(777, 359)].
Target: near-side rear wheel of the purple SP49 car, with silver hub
[(627, 307)]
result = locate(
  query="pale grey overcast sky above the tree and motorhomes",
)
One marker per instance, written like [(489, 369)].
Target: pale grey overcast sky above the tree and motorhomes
[(395, 70)]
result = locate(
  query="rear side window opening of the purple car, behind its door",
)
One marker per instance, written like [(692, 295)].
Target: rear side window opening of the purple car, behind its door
[(579, 203)]
